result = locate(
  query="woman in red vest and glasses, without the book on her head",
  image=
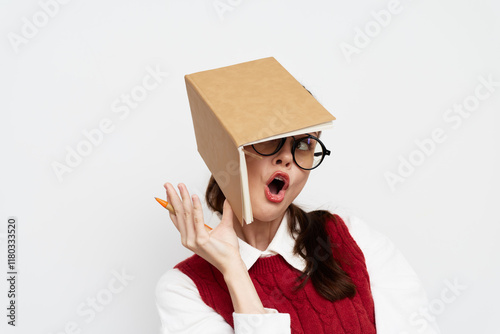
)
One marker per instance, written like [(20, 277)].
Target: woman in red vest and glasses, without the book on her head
[(286, 272)]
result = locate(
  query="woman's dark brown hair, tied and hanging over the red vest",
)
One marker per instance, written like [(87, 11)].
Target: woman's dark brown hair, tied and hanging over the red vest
[(322, 268)]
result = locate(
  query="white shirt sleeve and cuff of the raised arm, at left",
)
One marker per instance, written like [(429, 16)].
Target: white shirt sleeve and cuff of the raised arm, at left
[(182, 311)]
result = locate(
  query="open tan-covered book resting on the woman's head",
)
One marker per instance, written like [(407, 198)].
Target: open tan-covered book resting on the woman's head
[(244, 104)]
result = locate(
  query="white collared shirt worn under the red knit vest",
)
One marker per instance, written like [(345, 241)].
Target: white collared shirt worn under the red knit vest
[(397, 292)]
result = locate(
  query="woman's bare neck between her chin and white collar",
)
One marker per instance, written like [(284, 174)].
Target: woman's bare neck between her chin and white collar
[(258, 234)]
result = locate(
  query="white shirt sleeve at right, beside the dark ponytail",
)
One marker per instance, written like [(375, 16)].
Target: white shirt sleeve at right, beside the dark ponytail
[(397, 292)]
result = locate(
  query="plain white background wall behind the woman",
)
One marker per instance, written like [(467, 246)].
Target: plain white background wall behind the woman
[(102, 217)]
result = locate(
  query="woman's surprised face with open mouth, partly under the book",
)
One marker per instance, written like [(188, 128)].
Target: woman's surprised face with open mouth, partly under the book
[(274, 182)]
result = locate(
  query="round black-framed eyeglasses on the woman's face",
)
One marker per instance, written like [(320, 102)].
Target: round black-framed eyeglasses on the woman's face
[(308, 152)]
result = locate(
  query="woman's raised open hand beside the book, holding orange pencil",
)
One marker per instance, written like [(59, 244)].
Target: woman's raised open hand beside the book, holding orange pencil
[(219, 246)]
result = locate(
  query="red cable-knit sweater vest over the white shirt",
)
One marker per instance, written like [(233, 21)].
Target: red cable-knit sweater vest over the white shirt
[(274, 280)]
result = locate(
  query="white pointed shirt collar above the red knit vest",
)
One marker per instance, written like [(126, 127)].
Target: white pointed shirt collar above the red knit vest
[(282, 244)]
